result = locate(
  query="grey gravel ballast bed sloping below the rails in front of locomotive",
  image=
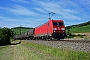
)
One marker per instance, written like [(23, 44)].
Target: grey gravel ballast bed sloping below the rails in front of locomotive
[(76, 45)]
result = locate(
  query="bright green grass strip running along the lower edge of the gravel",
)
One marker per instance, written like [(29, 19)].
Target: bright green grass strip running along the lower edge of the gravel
[(63, 54)]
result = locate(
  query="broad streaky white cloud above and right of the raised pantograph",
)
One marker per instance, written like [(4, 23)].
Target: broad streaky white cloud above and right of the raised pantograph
[(57, 7)]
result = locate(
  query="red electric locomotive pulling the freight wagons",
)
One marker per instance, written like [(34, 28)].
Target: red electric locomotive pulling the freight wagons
[(53, 29)]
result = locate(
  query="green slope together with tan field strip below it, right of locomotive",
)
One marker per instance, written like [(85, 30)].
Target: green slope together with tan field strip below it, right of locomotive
[(80, 32)]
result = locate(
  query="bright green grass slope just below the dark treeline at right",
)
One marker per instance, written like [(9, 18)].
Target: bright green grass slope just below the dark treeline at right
[(80, 29)]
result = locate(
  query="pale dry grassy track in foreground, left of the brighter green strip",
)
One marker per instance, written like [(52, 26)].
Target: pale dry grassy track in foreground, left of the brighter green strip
[(20, 52)]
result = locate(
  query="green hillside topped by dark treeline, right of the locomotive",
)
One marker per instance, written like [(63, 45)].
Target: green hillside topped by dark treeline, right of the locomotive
[(79, 28)]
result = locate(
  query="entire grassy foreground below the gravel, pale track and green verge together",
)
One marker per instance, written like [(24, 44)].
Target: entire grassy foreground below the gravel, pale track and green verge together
[(32, 51)]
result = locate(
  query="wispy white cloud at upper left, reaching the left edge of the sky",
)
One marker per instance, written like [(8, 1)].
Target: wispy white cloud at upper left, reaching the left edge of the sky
[(20, 10)]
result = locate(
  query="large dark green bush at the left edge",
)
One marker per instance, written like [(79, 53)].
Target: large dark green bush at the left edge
[(5, 34)]
